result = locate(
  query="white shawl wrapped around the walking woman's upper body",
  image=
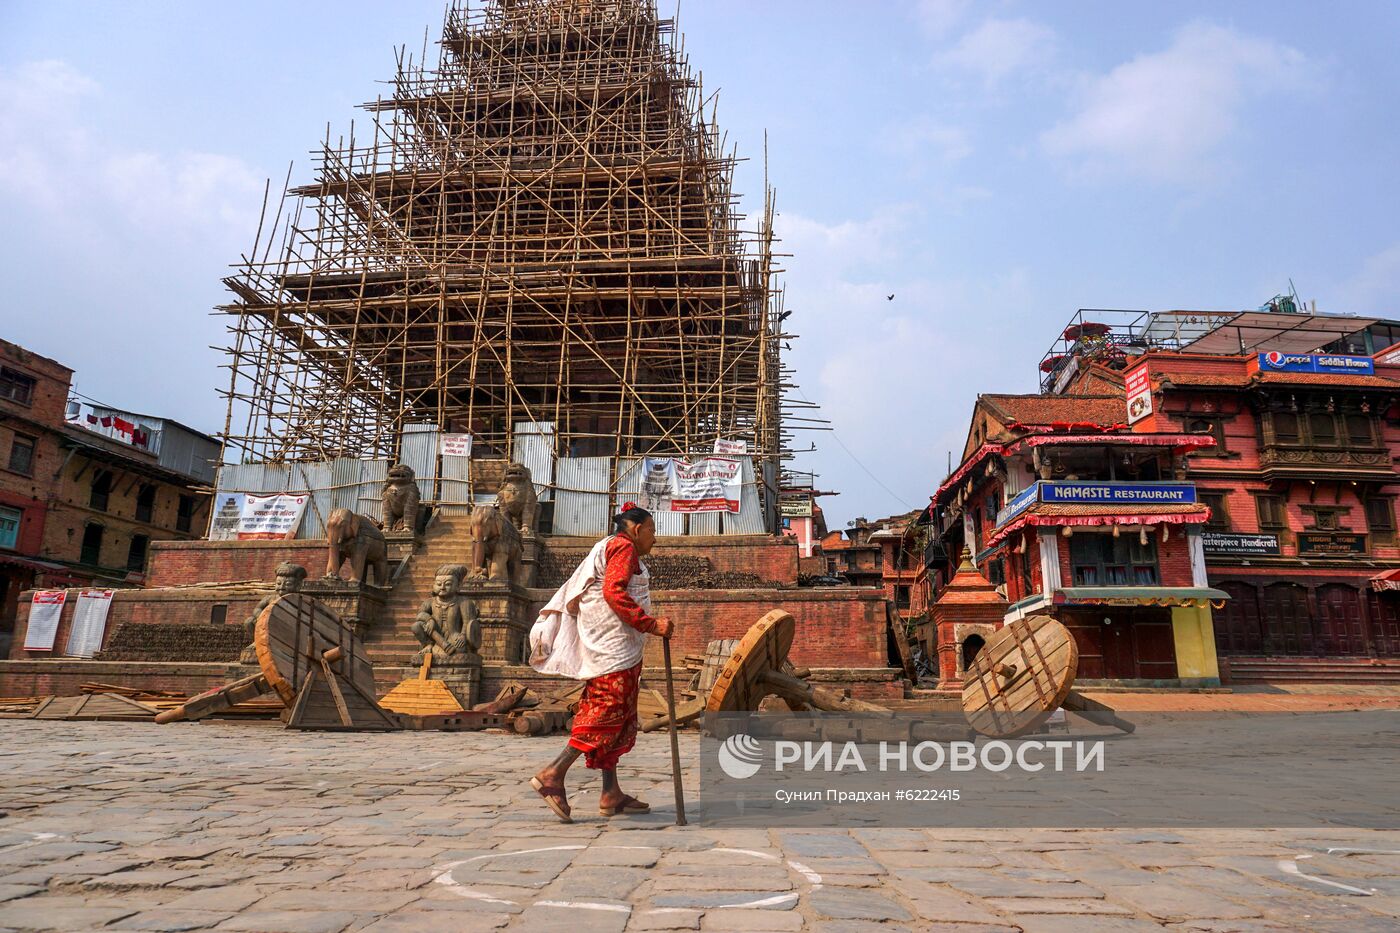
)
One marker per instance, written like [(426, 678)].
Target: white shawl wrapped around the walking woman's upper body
[(579, 635)]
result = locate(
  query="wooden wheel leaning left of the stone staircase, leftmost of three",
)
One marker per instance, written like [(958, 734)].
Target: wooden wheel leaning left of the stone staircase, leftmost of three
[(295, 633)]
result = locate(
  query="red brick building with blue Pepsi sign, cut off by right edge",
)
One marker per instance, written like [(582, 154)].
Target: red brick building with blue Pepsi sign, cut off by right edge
[(1303, 490)]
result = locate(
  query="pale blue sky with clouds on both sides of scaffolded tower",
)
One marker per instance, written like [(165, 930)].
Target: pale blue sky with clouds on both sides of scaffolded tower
[(993, 166)]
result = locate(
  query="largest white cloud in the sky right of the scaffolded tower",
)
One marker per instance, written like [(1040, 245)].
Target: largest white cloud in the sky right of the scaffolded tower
[(1165, 116)]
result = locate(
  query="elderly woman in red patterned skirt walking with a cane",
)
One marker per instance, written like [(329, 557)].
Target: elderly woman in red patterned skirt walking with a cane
[(593, 631)]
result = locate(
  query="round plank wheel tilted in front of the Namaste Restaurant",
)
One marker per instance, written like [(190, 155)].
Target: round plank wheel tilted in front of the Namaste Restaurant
[(1024, 675)]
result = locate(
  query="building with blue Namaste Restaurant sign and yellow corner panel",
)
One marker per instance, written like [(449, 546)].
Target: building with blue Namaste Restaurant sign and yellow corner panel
[(1069, 513)]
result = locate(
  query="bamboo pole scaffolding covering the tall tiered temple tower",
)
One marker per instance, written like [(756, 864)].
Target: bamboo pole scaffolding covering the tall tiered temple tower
[(542, 228)]
